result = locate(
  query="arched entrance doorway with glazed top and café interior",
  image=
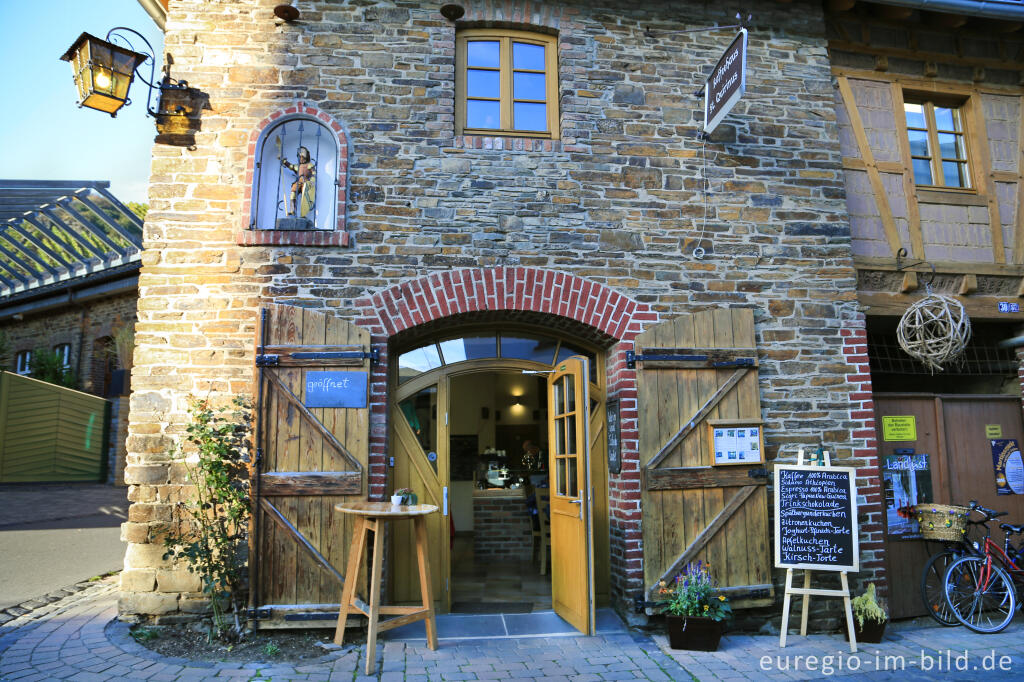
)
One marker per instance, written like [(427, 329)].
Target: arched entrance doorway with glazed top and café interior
[(471, 430)]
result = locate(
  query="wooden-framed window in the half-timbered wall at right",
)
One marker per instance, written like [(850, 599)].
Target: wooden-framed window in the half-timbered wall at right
[(938, 149)]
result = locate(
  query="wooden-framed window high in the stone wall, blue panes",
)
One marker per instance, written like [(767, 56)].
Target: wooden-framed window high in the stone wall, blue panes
[(506, 83)]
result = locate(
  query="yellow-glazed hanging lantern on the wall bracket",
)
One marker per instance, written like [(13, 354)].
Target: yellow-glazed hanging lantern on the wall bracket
[(103, 72)]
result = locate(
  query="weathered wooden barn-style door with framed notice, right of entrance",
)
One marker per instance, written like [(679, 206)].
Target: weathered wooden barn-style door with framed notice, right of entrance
[(690, 370)]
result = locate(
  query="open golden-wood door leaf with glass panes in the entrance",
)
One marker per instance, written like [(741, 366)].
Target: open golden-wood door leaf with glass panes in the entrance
[(572, 502)]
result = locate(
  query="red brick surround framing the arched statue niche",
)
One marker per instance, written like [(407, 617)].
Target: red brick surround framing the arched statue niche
[(296, 237)]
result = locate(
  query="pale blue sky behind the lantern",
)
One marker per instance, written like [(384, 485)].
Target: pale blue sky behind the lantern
[(44, 134)]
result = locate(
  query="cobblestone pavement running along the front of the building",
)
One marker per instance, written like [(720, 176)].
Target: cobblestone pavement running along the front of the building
[(79, 638)]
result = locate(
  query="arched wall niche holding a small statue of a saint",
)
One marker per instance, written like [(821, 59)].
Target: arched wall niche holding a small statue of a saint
[(296, 176)]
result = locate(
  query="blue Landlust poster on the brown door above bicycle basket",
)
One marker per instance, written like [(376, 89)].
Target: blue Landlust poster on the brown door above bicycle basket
[(908, 478)]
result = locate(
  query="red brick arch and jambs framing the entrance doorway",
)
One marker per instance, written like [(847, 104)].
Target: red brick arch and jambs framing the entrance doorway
[(558, 296)]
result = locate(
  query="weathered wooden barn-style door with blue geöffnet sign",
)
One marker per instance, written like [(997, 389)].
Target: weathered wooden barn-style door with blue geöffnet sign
[(310, 459)]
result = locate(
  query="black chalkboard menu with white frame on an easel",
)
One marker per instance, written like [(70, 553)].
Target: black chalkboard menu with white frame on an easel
[(817, 519)]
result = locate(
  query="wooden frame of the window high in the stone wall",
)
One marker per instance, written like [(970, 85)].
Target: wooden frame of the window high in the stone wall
[(506, 38)]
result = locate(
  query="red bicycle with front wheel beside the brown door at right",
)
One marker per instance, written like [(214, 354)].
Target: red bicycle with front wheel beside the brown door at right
[(982, 588)]
